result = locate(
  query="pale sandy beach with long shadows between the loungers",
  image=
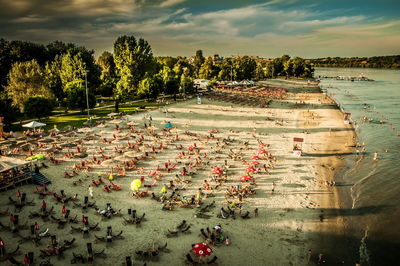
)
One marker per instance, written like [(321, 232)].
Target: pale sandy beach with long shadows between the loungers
[(298, 215)]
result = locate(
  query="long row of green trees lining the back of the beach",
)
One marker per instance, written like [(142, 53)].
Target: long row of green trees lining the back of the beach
[(35, 77)]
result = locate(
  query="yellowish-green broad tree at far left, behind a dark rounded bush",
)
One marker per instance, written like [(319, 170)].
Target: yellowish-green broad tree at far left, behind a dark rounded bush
[(25, 80)]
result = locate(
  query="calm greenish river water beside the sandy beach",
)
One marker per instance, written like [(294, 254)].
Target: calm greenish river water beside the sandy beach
[(372, 192)]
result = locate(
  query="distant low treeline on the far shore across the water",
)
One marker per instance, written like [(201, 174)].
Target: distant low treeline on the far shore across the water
[(390, 62)]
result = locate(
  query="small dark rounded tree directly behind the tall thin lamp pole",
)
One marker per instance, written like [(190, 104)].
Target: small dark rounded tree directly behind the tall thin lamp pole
[(76, 97)]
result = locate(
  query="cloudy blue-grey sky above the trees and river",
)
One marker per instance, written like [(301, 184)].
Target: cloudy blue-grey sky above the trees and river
[(306, 28)]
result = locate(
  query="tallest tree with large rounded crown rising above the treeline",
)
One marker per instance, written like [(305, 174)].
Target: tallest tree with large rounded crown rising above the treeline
[(133, 59)]
